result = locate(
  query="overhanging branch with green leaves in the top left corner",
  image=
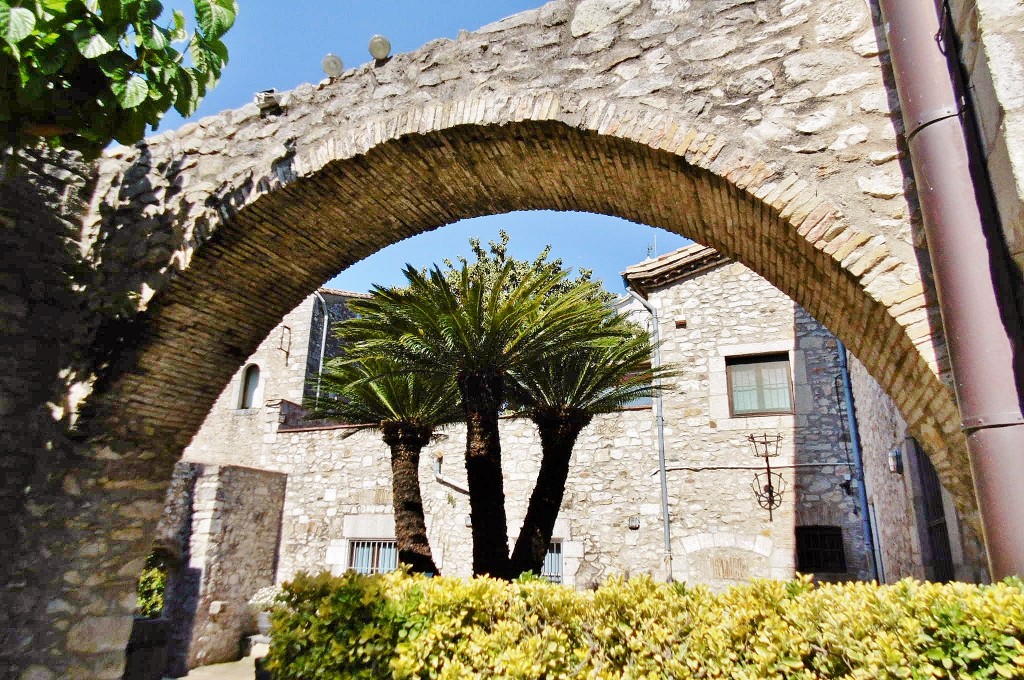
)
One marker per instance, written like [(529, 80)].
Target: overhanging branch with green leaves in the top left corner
[(80, 74)]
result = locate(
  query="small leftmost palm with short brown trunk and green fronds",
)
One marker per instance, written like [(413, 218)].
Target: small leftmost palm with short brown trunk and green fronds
[(407, 408)]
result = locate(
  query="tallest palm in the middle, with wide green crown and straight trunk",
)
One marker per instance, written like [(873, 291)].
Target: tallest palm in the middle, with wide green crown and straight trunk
[(475, 330)]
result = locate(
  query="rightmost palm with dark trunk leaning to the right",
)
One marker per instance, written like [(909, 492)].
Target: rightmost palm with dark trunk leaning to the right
[(562, 397)]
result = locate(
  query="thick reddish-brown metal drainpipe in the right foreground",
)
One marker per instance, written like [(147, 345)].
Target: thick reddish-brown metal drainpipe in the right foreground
[(971, 272)]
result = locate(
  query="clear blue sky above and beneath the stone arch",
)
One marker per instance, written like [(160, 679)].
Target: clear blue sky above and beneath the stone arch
[(281, 46)]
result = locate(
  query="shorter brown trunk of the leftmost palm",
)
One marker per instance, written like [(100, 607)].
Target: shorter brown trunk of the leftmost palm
[(410, 528)]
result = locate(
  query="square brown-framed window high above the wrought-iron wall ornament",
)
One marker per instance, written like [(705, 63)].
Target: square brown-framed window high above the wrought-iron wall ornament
[(759, 385)]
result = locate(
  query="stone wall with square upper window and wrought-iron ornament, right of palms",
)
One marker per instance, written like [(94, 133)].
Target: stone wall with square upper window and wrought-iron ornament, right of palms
[(732, 312)]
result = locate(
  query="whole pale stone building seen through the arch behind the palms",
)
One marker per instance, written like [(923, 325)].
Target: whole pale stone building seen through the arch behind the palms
[(752, 363)]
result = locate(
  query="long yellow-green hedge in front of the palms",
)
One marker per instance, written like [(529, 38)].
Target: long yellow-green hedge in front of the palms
[(400, 626)]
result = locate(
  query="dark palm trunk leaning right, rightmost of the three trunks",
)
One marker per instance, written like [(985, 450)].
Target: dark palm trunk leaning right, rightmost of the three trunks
[(559, 436)]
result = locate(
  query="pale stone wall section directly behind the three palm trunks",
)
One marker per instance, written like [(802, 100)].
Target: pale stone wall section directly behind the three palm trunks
[(342, 490)]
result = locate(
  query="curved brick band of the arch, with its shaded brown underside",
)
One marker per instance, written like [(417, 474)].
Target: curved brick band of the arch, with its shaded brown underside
[(284, 233)]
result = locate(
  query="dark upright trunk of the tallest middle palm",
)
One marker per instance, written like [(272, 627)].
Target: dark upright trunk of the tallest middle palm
[(482, 398)]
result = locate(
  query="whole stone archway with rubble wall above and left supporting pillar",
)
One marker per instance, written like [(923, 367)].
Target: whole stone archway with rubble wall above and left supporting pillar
[(765, 131)]
